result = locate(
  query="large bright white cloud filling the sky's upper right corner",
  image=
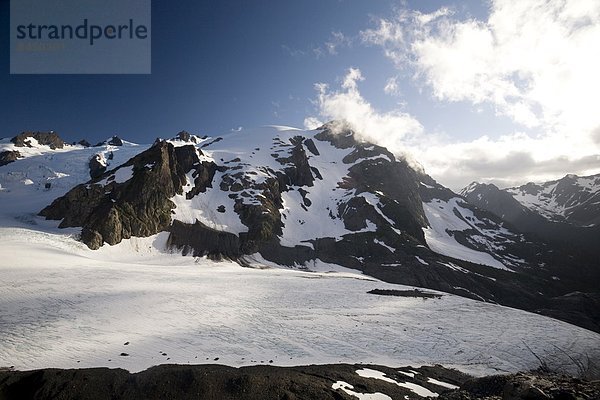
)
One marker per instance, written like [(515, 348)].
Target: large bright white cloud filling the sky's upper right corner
[(536, 61)]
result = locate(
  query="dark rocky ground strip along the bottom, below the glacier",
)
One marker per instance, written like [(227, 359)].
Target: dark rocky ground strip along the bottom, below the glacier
[(269, 382)]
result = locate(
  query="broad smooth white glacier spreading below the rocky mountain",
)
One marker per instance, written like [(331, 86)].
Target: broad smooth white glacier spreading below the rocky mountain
[(63, 305)]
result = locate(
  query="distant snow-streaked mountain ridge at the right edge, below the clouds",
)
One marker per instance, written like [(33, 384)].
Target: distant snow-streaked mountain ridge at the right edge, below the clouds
[(562, 212)]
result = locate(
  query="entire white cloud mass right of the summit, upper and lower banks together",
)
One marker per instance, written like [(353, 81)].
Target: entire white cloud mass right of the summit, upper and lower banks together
[(534, 61)]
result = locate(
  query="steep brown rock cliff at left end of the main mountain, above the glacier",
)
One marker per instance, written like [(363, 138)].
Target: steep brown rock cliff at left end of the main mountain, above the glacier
[(130, 200)]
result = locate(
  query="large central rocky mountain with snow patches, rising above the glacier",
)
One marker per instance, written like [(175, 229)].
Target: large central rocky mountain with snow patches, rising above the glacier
[(308, 200)]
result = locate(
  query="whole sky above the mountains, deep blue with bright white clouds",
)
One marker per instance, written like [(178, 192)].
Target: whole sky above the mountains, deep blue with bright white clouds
[(219, 65)]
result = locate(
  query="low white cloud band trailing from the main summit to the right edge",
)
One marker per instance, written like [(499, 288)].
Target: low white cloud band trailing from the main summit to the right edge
[(506, 161)]
